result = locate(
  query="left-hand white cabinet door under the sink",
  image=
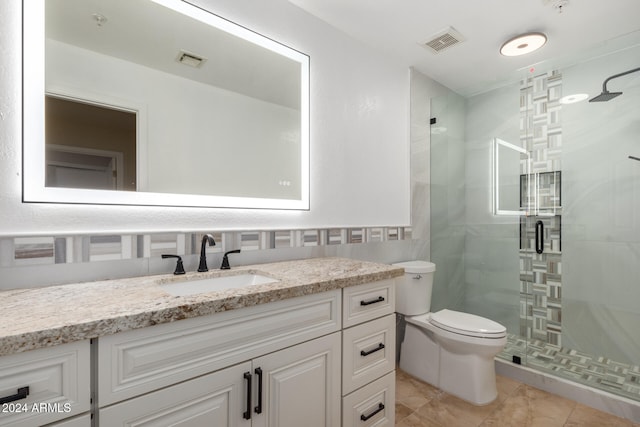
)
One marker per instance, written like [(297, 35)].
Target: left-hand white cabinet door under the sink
[(215, 400)]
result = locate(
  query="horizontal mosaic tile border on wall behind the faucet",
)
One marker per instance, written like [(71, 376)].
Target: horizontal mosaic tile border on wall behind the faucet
[(16, 251)]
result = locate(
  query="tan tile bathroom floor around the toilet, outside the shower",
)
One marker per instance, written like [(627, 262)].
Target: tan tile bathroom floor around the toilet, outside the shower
[(518, 405)]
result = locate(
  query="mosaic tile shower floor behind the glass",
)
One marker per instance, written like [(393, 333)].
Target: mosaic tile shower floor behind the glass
[(598, 372)]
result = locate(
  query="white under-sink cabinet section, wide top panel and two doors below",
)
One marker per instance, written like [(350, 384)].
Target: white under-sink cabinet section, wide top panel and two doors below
[(275, 364)]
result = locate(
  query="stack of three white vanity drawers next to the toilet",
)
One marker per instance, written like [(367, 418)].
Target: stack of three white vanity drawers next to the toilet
[(368, 347)]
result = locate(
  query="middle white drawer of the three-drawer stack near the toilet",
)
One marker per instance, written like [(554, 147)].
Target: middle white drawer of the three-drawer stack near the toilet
[(368, 352)]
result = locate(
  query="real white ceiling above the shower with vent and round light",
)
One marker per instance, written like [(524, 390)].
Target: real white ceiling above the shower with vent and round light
[(475, 65)]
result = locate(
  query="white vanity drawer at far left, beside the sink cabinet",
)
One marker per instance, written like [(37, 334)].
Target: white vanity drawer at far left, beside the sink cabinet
[(57, 379)]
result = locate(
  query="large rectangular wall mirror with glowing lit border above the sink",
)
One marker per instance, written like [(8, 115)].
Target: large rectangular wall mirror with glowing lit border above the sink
[(159, 102)]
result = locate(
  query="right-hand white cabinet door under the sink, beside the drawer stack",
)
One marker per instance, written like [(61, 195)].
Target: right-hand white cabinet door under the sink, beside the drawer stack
[(300, 385)]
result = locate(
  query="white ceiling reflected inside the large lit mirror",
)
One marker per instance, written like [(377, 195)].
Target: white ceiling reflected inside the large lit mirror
[(152, 35)]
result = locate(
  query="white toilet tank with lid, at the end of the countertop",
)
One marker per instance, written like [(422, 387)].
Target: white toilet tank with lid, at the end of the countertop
[(413, 289)]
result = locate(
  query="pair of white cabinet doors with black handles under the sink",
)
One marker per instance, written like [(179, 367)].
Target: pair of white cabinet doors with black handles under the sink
[(297, 386)]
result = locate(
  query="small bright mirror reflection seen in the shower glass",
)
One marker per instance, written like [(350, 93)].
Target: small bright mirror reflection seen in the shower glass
[(508, 162)]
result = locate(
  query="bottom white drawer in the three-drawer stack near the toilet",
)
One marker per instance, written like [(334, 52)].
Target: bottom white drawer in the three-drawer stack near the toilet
[(373, 404)]
